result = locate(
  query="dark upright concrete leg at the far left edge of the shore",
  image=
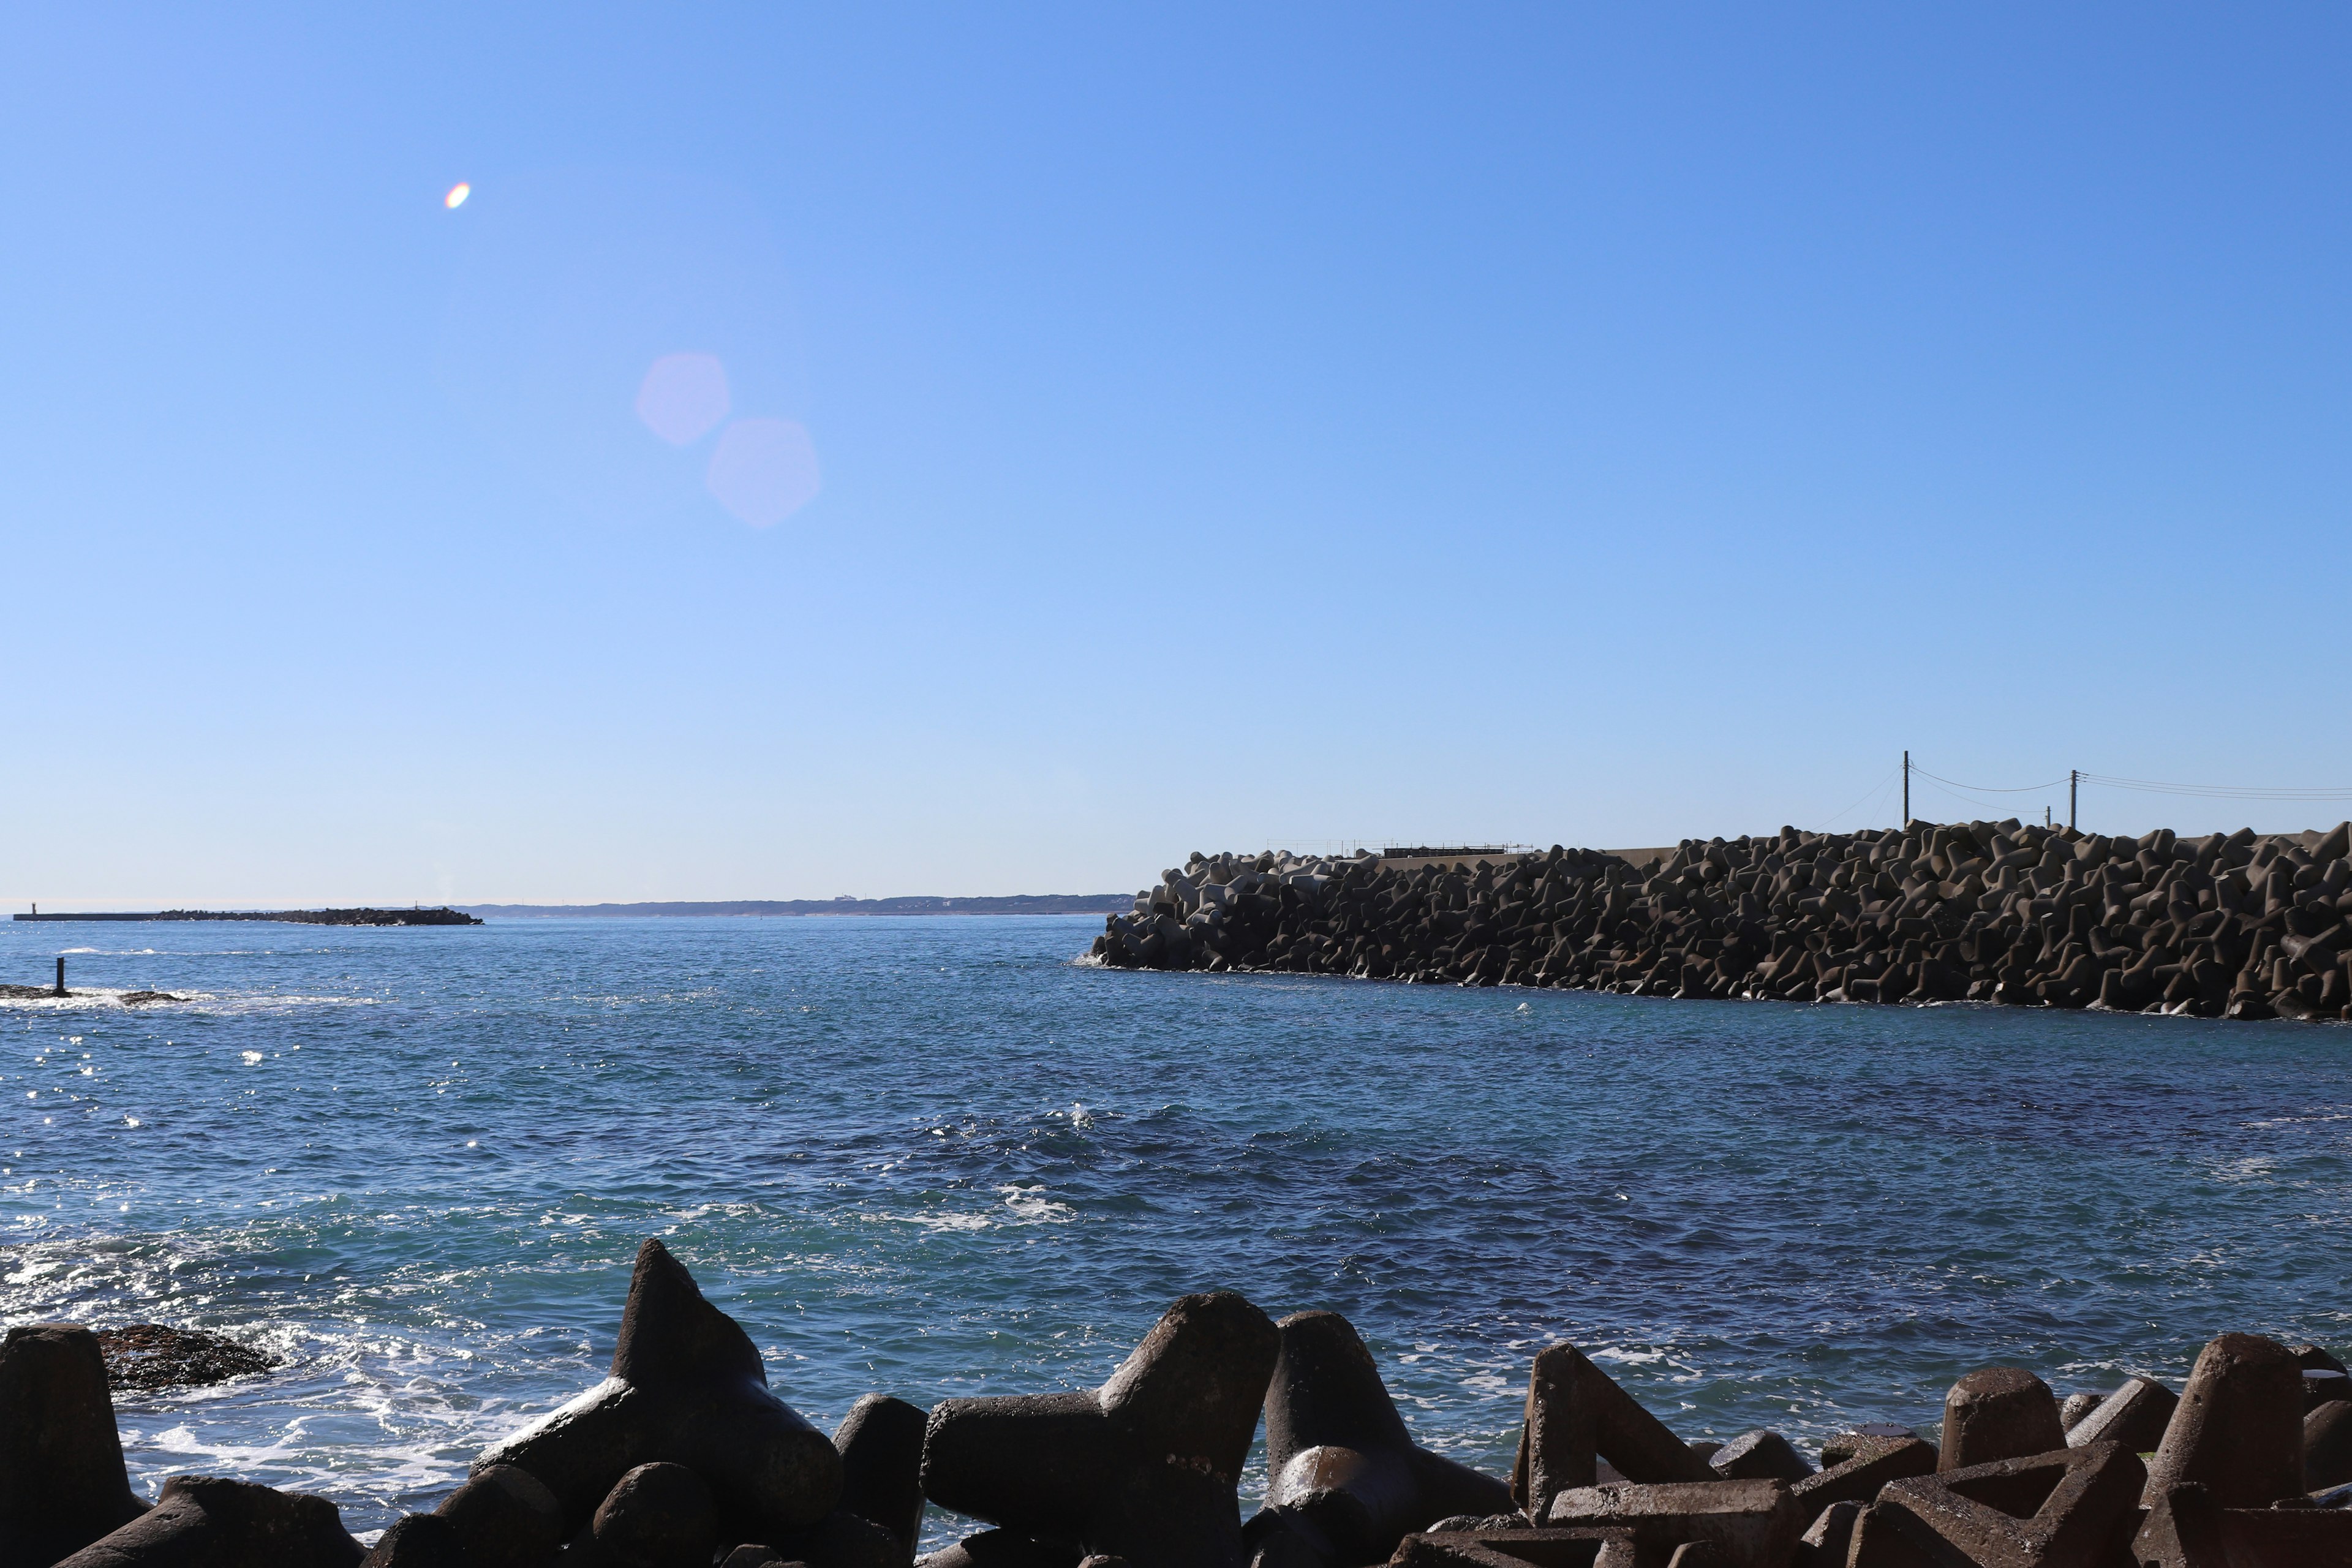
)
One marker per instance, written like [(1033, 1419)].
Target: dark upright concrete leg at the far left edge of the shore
[(62, 1480)]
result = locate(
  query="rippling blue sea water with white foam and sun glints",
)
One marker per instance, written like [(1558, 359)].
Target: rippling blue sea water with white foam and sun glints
[(937, 1158)]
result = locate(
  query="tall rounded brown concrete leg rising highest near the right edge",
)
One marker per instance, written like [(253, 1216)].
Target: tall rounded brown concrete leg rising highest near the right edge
[(2238, 1430)]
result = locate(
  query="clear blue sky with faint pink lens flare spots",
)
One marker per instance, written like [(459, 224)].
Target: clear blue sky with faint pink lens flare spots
[(1001, 450)]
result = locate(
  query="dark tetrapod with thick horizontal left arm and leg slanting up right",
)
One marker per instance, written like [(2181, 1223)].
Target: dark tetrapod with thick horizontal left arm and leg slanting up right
[(1144, 1466)]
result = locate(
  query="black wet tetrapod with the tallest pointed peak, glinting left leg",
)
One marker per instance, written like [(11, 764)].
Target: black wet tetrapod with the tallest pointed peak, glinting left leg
[(686, 1388)]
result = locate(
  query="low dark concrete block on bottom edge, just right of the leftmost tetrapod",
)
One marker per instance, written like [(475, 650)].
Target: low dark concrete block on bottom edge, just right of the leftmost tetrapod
[(206, 1522)]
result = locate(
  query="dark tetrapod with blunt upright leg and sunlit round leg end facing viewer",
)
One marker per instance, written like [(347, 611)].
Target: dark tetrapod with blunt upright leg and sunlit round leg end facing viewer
[(1347, 1477)]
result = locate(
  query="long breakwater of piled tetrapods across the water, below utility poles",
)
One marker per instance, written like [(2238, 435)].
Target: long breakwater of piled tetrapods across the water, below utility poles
[(2217, 927)]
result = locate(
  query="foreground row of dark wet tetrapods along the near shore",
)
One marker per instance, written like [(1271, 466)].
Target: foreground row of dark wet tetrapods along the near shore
[(688, 1459)]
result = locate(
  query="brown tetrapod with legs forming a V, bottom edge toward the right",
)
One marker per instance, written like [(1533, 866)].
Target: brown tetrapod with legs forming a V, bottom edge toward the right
[(2050, 1510)]
